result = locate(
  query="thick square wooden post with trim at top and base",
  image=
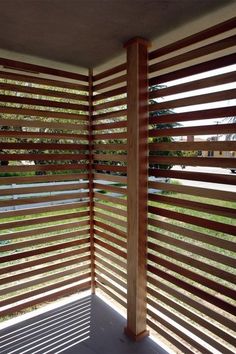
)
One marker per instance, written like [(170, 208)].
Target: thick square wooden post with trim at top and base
[(137, 169)]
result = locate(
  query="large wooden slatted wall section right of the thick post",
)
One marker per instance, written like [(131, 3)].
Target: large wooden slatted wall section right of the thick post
[(192, 205)]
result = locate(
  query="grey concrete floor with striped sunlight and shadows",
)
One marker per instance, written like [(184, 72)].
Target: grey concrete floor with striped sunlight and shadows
[(85, 326)]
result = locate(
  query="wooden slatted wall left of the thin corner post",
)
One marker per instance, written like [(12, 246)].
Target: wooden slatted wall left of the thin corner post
[(44, 207)]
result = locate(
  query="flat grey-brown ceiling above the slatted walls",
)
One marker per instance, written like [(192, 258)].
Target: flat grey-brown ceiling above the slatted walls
[(87, 33)]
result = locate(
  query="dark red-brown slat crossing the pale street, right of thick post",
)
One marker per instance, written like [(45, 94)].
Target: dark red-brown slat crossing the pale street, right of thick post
[(194, 176)]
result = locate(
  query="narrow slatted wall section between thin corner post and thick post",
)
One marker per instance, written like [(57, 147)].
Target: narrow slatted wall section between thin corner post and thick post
[(110, 181)]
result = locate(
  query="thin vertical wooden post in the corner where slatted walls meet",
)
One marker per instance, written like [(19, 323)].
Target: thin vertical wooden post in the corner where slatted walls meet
[(90, 179)]
